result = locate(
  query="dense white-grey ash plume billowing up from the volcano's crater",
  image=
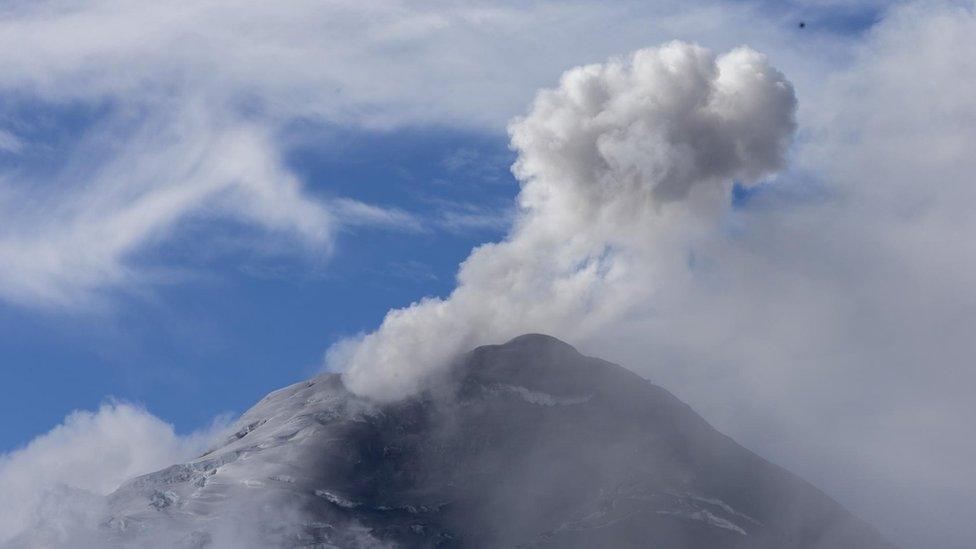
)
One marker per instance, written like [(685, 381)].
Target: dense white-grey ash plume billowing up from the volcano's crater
[(618, 165)]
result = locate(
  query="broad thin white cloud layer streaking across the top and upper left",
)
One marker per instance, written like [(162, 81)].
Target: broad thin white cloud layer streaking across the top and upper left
[(203, 91)]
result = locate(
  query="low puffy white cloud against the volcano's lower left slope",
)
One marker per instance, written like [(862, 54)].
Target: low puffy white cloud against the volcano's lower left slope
[(52, 487)]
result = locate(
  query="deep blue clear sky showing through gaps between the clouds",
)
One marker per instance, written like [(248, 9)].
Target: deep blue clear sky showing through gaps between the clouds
[(230, 322)]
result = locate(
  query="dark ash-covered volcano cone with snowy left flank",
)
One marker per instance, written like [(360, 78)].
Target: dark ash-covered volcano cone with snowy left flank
[(526, 444)]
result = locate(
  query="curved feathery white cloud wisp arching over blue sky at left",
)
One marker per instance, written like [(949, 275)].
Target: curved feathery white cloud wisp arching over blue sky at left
[(63, 246)]
